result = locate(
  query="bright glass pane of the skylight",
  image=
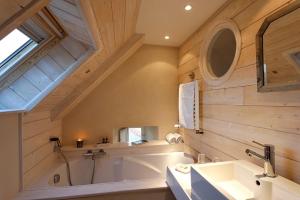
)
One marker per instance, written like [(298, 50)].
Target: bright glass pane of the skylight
[(13, 48)]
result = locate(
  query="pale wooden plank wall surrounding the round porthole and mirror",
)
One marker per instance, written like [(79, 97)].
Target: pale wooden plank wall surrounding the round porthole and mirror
[(233, 114)]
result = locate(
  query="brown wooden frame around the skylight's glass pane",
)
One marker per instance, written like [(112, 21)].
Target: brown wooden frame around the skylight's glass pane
[(46, 35)]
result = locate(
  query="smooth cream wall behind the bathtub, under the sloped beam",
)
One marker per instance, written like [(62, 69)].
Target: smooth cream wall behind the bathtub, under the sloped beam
[(142, 92)]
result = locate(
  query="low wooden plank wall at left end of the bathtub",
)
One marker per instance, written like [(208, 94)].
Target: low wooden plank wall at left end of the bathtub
[(38, 155)]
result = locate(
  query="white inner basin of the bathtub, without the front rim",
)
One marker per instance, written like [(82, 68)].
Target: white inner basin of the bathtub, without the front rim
[(112, 168)]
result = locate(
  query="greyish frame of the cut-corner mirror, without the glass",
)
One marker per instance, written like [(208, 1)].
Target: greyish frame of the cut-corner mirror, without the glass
[(261, 85)]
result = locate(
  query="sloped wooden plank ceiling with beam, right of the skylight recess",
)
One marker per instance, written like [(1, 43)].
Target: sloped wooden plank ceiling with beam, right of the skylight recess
[(114, 21)]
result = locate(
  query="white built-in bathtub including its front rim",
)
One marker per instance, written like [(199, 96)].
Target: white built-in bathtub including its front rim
[(112, 174)]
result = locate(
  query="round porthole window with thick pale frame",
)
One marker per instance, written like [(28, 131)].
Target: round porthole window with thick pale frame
[(220, 52)]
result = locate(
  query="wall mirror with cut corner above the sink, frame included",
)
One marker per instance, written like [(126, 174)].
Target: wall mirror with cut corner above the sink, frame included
[(278, 51)]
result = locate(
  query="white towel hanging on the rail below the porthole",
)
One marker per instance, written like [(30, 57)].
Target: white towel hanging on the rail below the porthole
[(189, 105)]
